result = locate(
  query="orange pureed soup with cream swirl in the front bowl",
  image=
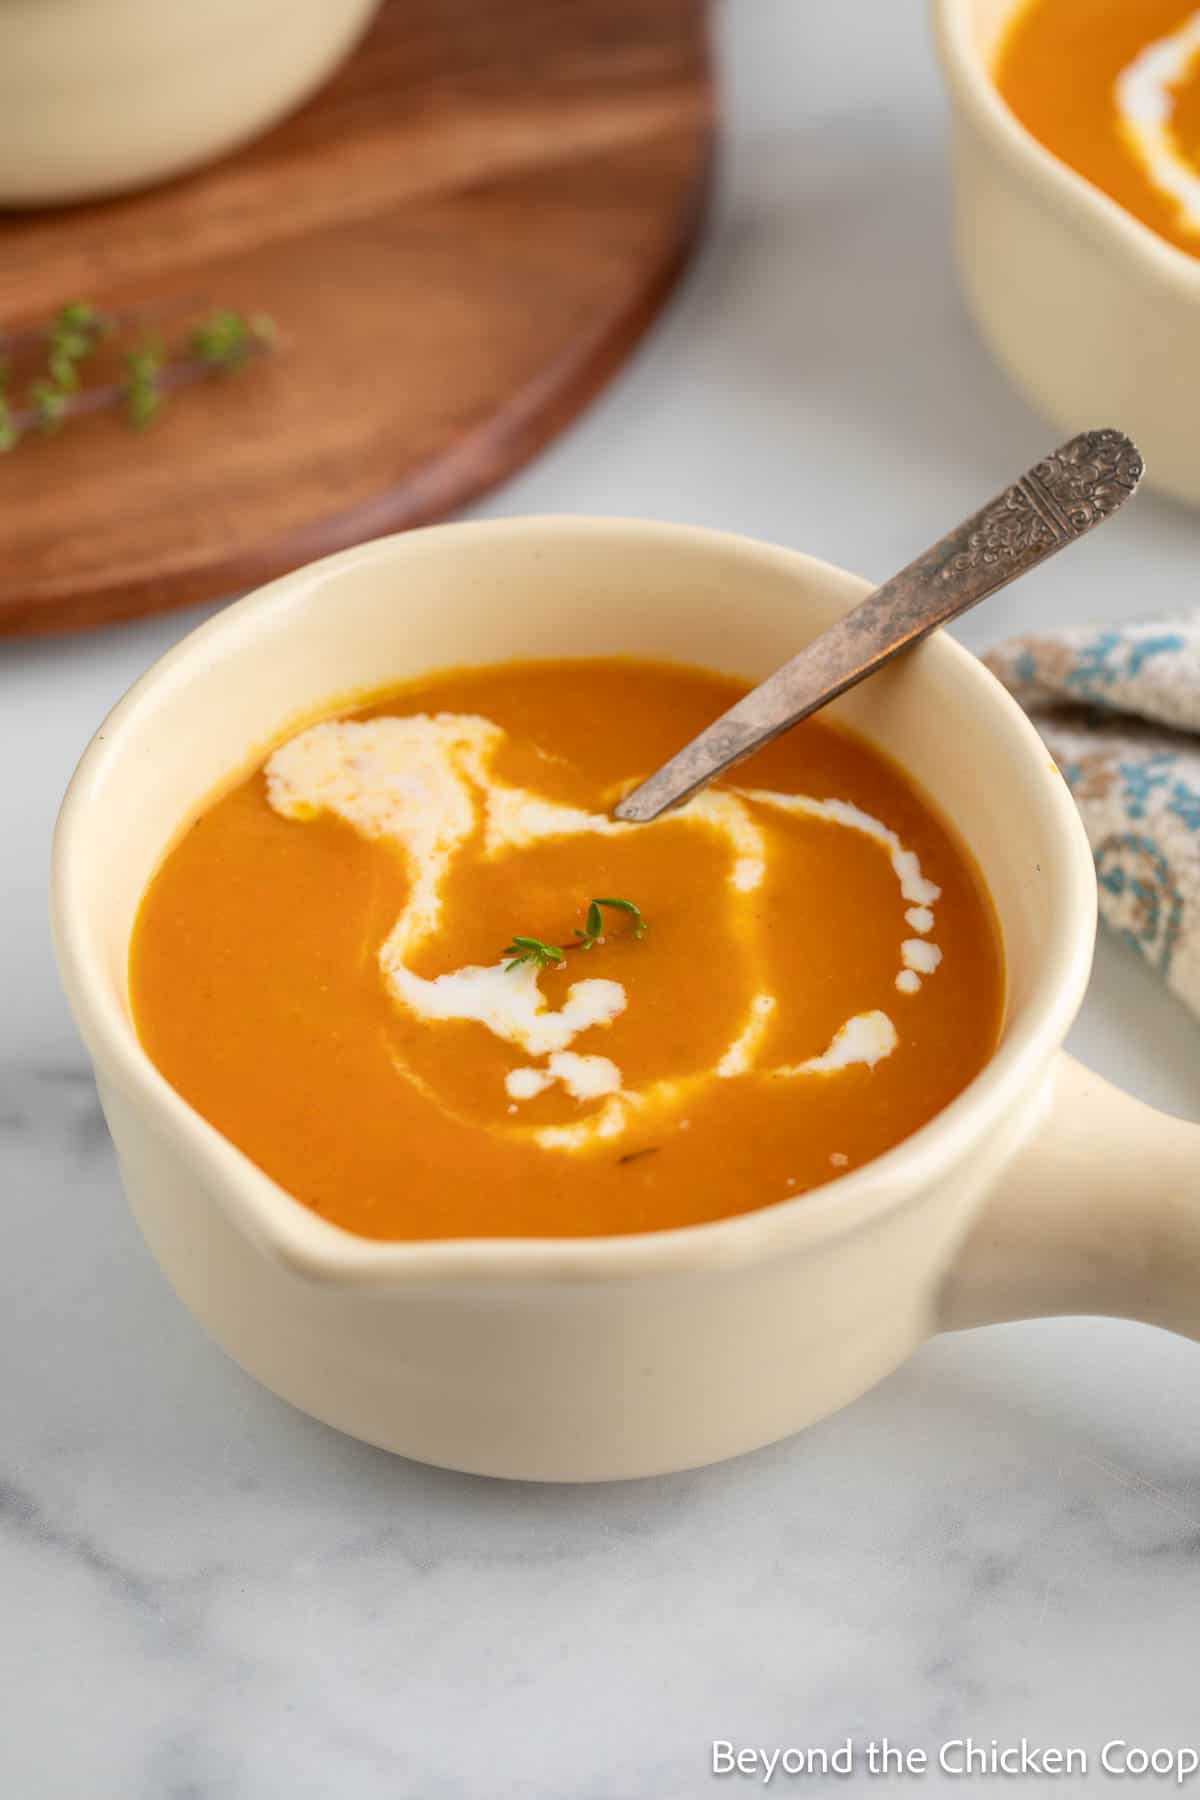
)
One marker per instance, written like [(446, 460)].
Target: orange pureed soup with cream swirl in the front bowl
[(416, 971)]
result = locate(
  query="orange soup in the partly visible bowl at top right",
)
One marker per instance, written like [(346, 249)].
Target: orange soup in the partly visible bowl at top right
[(1113, 87)]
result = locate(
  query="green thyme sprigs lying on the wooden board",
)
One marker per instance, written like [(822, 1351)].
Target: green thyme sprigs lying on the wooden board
[(219, 345)]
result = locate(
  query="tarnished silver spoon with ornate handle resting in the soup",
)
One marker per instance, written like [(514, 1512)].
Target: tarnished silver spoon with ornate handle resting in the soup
[(1050, 507)]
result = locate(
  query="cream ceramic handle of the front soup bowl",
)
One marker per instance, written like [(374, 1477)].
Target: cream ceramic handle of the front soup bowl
[(1098, 1212)]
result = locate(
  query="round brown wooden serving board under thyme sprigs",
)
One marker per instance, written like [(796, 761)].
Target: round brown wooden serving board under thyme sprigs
[(460, 240)]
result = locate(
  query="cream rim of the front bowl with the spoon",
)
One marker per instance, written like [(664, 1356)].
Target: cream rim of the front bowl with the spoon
[(323, 1252)]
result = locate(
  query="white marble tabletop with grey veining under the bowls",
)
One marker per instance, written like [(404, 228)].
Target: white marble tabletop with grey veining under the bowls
[(204, 1596)]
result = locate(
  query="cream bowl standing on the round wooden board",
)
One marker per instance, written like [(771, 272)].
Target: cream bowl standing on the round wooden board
[(100, 96)]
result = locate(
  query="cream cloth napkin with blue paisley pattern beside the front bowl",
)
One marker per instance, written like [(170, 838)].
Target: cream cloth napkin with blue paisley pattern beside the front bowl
[(1120, 712)]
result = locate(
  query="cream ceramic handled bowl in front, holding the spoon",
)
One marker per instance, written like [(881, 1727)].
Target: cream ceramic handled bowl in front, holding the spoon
[(568, 1360)]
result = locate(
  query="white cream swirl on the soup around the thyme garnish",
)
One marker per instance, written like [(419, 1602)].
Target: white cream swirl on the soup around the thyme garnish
[(425, 784)]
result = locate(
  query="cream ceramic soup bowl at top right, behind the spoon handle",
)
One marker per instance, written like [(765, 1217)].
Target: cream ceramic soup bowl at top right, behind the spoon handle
[(1091, 312)]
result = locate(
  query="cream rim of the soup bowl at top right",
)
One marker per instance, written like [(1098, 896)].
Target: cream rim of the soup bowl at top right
[(1102, 217)]
